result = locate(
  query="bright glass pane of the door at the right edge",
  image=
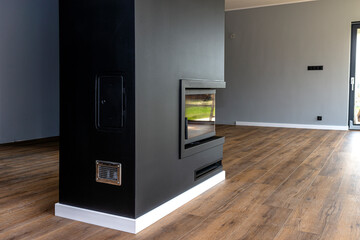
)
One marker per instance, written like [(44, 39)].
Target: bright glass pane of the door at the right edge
[(357, 81)]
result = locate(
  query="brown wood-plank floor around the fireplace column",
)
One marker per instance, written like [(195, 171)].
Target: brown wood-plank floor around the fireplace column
[(281, 184)]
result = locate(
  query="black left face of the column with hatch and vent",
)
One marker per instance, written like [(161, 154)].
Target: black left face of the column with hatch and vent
[(96, 39)]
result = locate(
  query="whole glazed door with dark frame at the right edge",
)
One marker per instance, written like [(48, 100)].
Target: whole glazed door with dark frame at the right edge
[(354, 113)]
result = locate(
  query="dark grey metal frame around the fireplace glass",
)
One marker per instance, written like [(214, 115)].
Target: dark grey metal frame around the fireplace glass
[(189, 149)]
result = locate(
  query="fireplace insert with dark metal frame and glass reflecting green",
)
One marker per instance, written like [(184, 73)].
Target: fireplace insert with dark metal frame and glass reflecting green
[(197, 116)]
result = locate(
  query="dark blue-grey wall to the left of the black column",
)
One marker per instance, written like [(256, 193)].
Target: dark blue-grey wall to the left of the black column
[(29, 99)]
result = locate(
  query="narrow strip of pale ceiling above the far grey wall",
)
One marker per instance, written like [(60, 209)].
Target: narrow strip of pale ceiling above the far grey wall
[(244, 4)]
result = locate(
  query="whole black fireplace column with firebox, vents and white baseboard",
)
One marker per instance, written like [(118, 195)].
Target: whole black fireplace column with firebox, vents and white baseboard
[(121, 62)]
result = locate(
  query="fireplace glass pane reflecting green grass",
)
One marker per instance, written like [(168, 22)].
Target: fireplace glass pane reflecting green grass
[(199, 114)]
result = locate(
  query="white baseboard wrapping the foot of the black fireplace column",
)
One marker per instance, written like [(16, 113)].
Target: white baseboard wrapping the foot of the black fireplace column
[(136, 225)]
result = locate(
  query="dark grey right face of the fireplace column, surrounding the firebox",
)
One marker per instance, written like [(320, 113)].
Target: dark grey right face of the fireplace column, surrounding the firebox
[(174, 40)]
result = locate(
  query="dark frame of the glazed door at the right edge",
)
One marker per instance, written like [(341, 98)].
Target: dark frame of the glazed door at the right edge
[(354, 28)]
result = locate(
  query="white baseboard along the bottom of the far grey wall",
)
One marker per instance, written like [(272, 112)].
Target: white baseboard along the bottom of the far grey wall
[(286, 125)]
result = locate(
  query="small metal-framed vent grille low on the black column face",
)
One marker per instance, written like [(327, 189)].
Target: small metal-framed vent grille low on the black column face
[(108, 172)]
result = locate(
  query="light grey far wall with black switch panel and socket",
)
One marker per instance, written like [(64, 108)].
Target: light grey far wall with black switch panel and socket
[(266, 64)]
